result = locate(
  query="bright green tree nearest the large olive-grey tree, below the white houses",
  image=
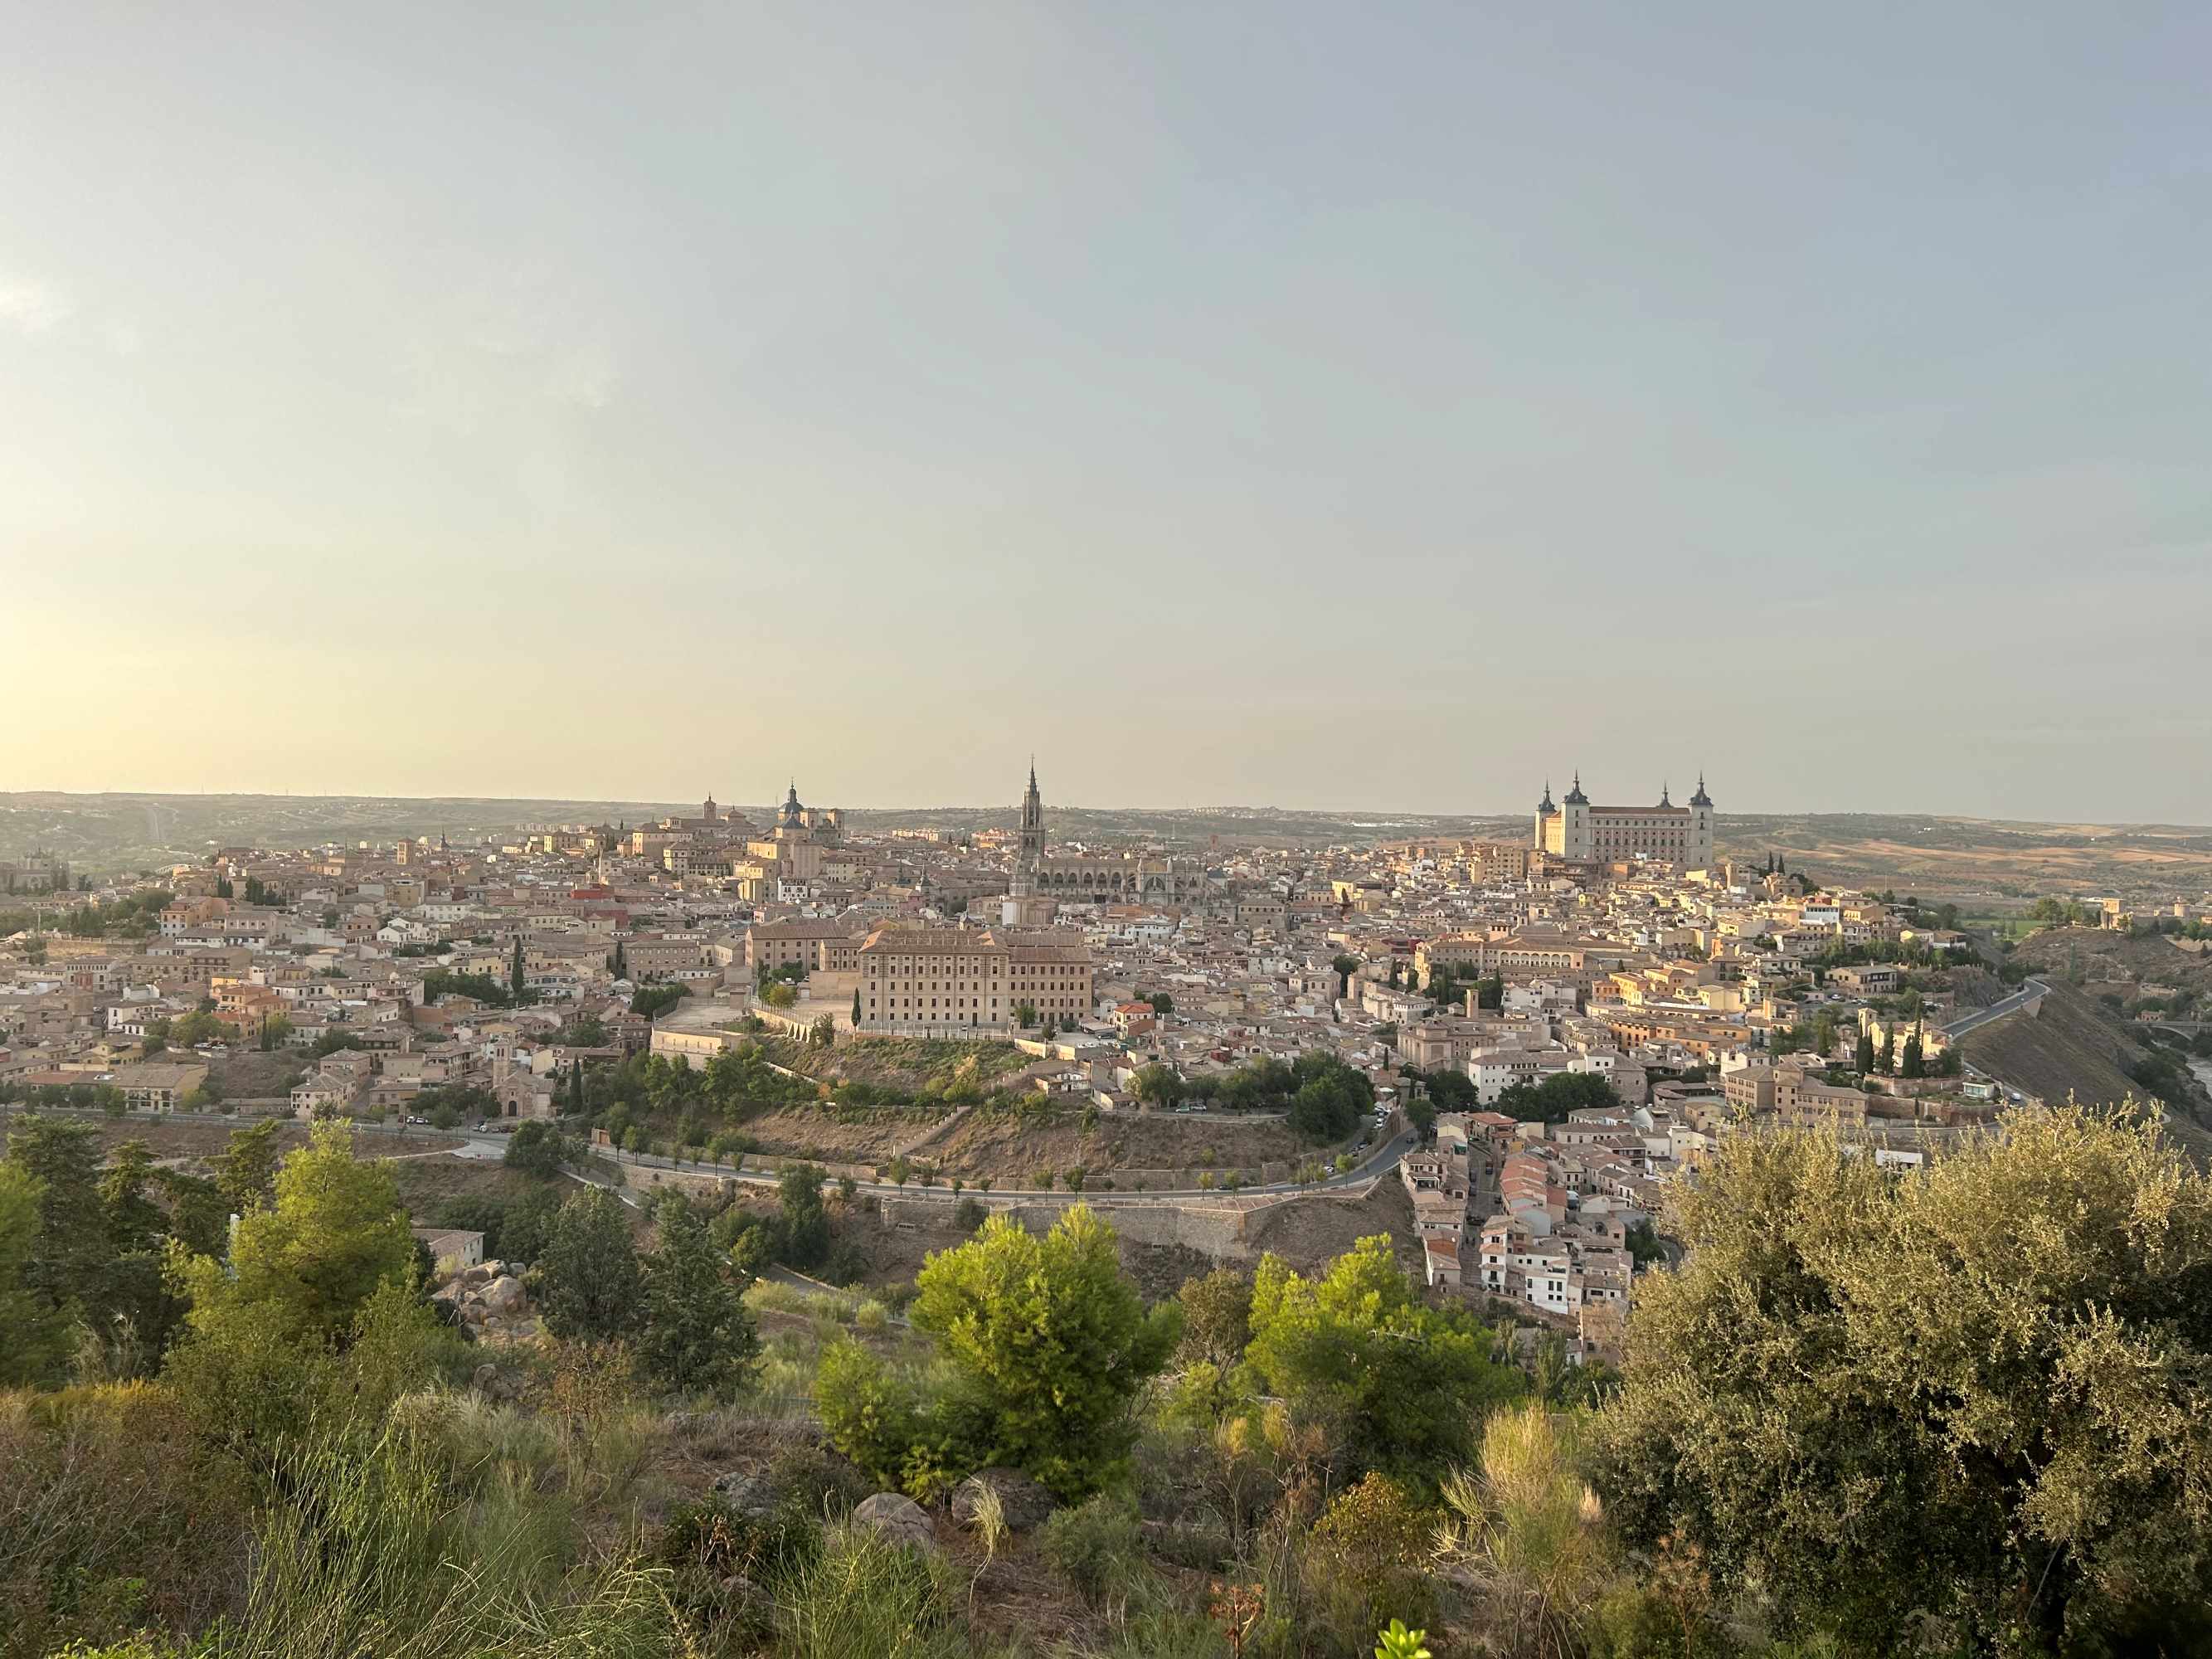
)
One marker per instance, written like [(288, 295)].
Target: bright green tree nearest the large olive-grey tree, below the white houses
[(1399, 1386)]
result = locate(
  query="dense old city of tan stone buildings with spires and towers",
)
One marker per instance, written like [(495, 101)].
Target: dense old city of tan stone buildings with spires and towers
[(1609, 943)]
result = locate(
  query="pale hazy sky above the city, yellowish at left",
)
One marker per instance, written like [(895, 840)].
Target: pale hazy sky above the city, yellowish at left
[(1355, 406)]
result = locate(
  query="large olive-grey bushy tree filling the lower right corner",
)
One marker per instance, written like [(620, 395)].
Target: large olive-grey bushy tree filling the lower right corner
[(1979, 1392)]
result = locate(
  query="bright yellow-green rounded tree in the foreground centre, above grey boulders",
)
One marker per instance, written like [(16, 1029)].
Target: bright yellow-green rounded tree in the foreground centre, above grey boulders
[(1054, 1339)]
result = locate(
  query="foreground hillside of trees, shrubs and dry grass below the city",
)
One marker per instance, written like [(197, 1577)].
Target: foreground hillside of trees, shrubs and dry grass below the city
[(1948, 1412)]
